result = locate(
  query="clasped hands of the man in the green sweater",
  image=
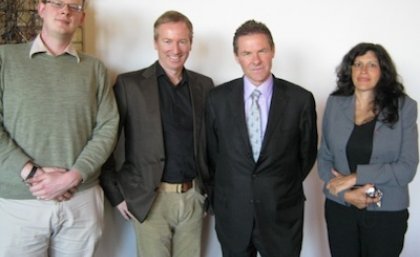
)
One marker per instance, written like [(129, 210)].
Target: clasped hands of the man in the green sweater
[(53, 183)]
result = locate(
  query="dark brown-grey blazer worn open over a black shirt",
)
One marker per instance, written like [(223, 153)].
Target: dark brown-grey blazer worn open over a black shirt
[(137, 181)]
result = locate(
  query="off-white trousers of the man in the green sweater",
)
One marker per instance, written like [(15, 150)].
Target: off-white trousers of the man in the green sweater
[(37, 228)]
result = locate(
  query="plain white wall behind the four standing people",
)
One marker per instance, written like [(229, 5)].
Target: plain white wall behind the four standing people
[(311, 37)]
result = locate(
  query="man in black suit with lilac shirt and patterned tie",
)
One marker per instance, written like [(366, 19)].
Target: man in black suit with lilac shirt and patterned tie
[(258, 169)]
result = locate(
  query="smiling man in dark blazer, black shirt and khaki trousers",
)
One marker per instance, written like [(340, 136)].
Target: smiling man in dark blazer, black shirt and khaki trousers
[(161, 184)]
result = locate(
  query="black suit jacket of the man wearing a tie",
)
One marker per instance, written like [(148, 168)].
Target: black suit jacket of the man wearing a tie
[(245, 191)]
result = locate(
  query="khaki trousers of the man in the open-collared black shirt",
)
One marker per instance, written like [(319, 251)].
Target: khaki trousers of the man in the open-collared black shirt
[(173, 226)]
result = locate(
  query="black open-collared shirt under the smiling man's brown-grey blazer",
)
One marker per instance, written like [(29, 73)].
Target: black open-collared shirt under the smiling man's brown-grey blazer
[(177, 123)]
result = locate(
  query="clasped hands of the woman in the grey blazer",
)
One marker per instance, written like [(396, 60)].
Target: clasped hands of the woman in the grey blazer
[(354, 195)]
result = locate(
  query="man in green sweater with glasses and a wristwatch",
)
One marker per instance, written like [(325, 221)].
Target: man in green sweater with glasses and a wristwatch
[(58, 125)]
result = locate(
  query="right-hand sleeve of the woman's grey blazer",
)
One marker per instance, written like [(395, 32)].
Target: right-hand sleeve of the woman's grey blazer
[(401, 171)]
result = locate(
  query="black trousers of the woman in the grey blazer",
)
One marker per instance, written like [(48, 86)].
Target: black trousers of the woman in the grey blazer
[(360, 233)]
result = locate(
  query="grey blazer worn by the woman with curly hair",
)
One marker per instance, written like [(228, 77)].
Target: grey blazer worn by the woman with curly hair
[(395, 153)]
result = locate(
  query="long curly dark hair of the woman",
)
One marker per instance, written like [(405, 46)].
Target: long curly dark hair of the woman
[(388, 90)]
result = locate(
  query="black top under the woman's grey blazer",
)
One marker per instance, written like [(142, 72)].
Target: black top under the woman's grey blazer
[(360, 144)]
